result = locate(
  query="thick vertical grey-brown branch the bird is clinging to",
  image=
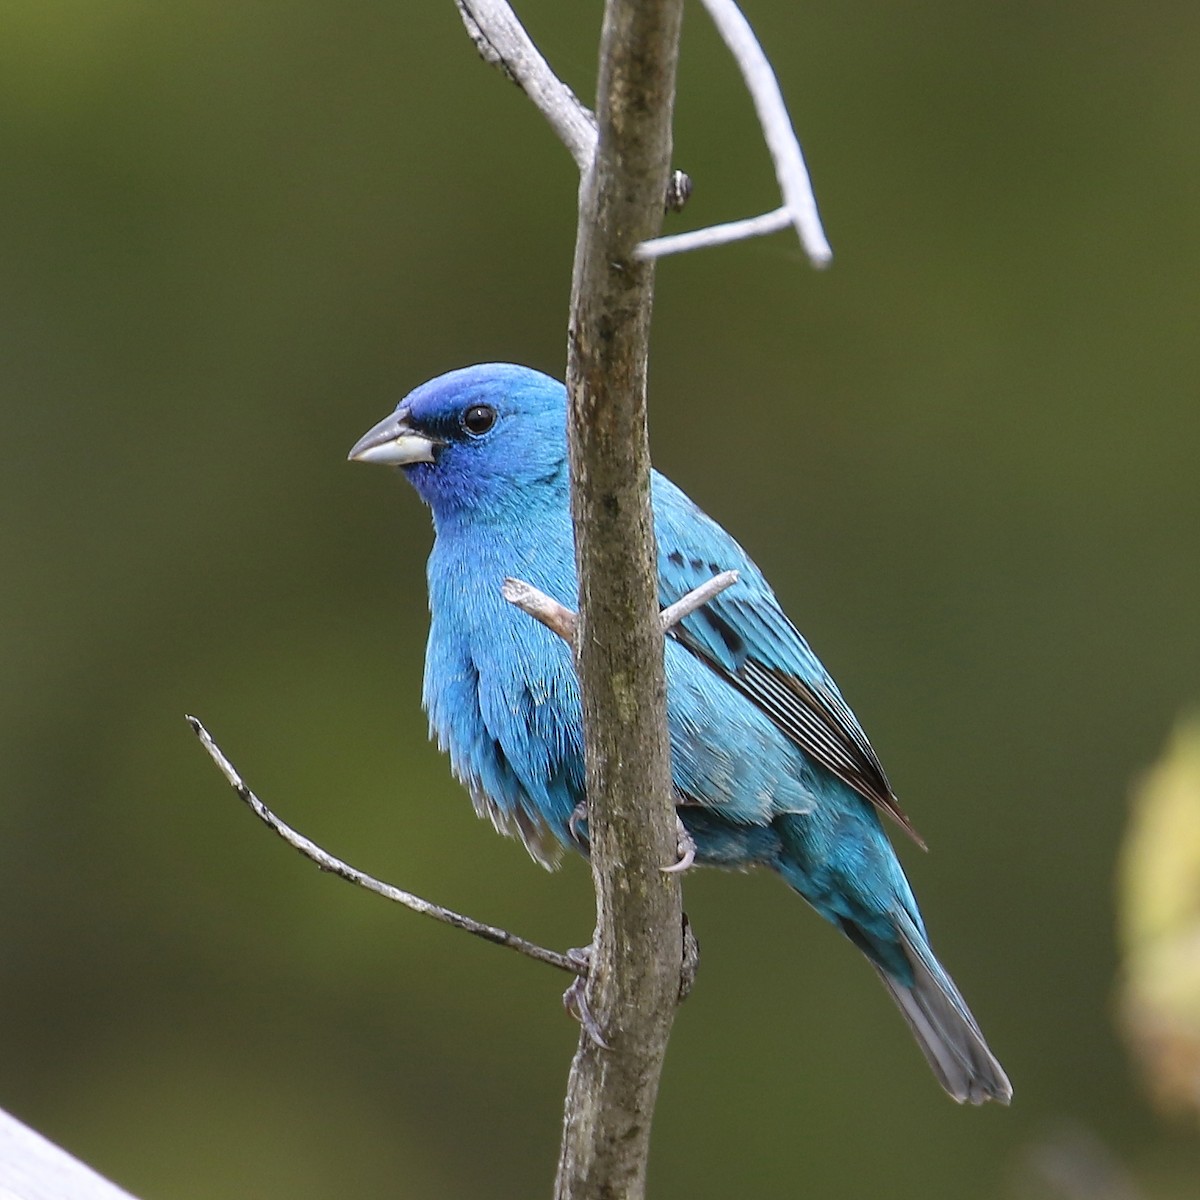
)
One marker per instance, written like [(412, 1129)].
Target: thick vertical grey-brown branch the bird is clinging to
[(634, 985)]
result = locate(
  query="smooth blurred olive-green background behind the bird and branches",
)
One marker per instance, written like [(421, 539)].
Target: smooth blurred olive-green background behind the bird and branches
[(233, 236)]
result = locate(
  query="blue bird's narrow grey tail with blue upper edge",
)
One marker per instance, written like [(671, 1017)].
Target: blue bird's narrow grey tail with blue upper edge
[(943, 1024)]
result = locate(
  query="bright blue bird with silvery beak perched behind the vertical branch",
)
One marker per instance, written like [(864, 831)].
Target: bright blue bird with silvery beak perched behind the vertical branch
[(770, 765)]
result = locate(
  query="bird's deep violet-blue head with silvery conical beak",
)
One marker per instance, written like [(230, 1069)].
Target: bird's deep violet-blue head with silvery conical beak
[(482, 441)]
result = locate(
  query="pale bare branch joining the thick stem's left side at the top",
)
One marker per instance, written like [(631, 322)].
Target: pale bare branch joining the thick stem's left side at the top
[(502, 41)]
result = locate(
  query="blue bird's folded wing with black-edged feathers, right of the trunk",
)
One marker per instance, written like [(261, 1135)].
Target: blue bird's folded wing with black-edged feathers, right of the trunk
[(747, 639)]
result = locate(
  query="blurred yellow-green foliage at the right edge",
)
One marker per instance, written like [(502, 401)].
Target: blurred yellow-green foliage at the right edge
[(1161, 925)]
